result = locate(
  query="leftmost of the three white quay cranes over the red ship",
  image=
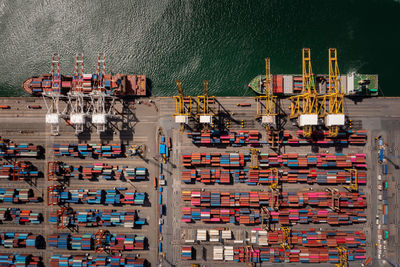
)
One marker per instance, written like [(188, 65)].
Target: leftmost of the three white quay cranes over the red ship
[(53, 112)]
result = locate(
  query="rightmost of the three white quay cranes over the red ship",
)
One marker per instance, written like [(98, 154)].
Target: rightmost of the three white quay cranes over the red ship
[(101, 103)]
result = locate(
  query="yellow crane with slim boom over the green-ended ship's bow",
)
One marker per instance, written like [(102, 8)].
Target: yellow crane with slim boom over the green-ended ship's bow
[(266, 104)]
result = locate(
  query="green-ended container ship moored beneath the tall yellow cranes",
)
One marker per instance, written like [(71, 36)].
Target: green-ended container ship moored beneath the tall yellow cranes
[(353, 84)]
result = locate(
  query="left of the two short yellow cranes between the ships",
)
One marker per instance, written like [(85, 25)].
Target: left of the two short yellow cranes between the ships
[(183, 106)]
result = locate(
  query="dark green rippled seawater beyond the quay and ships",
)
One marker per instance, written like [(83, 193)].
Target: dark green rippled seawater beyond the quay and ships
[(224, 42)]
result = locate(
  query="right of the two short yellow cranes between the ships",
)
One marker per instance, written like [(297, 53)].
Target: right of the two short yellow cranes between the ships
[(206, 109)]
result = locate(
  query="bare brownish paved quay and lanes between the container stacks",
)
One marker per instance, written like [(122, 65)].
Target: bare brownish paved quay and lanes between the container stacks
[(139, 125)]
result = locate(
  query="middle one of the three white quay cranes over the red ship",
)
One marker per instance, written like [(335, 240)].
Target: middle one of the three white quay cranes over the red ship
[(76, 97)]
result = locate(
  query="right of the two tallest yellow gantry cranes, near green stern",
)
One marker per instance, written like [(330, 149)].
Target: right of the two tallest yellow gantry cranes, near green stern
[(331, 106)]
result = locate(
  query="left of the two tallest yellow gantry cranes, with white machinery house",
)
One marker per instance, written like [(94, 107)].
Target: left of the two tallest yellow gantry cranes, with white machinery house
[(304, 107)]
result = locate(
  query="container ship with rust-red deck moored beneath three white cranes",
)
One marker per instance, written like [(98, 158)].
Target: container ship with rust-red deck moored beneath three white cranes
[(113, 85)]
